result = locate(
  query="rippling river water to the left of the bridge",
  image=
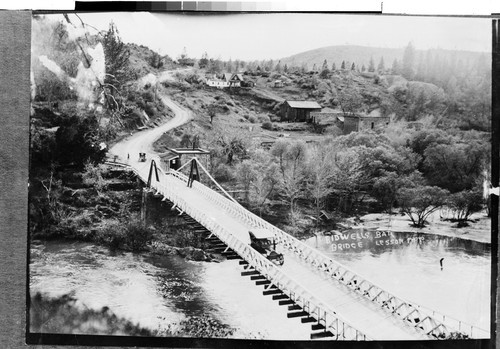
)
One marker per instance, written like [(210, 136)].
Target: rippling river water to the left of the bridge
[(156, 291)]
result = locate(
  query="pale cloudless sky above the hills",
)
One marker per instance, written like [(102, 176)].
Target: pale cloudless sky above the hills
[(278, 35)]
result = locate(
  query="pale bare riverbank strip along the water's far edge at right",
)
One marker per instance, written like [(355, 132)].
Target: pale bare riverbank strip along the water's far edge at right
[(479, 228)]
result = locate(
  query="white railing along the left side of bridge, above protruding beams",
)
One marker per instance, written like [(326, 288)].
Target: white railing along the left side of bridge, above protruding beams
[(299, 294)]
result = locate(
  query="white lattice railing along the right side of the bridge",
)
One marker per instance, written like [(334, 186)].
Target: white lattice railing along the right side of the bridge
[(430, 322)]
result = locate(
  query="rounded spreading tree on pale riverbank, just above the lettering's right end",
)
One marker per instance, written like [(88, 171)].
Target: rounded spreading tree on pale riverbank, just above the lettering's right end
[(419, 202)]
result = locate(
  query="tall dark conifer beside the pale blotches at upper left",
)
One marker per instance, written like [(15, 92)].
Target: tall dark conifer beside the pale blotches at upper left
[(116, 57)]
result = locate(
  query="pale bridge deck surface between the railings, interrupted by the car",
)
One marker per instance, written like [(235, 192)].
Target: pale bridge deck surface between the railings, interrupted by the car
[(355, 309)]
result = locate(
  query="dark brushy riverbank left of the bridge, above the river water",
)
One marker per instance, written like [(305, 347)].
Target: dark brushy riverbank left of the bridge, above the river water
[(102, 204)]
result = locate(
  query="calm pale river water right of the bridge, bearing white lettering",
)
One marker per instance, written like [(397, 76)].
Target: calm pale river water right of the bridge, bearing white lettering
[(408, 264)]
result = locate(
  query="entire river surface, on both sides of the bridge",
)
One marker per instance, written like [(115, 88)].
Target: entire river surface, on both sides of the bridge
[(157, 291)]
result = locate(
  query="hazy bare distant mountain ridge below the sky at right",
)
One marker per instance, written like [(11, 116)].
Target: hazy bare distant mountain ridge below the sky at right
[(361, 55)]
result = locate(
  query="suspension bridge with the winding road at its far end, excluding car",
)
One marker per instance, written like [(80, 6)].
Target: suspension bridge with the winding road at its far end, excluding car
[(336, 302)]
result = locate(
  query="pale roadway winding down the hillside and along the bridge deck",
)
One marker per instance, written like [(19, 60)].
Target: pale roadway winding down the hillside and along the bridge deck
[(299, 277)]
